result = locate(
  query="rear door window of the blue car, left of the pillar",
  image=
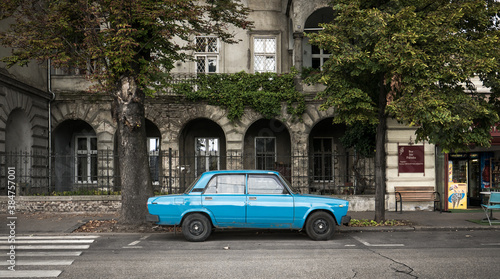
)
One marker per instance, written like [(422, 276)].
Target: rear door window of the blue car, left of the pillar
[(226, 184)]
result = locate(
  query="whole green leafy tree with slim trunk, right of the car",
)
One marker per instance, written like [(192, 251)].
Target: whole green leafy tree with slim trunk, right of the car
[(412, 60)]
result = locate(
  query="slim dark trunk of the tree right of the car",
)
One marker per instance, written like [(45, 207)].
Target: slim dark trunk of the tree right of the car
[(380, 157)]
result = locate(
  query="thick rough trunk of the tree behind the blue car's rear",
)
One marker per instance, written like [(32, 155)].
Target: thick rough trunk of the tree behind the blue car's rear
[(135, 178)]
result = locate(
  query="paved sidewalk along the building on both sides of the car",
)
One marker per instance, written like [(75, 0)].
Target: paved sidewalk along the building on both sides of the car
[(65, 223)]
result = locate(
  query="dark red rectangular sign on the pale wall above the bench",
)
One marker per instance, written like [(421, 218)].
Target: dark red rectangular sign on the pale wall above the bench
[(411, 159)]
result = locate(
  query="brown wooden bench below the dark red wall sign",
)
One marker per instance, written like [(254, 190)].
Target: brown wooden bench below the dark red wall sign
[(416, 193)]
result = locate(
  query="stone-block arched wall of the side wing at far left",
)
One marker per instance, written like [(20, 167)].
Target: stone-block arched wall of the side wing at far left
[(23, 128)]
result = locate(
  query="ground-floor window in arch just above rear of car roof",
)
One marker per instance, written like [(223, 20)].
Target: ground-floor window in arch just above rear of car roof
[(207, 154)]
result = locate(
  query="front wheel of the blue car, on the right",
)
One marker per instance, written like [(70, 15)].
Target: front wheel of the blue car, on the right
[(320, 226)]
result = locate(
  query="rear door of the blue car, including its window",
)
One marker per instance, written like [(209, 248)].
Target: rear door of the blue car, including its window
[(224, 197)]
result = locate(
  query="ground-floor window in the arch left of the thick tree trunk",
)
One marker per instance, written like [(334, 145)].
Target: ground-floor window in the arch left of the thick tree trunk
[(86, 159)]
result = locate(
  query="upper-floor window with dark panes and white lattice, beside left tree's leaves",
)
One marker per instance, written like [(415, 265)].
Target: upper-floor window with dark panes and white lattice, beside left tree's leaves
[(207, 54)]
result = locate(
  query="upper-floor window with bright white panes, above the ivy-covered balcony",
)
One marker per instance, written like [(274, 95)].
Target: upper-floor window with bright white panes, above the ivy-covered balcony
[(264, 49)]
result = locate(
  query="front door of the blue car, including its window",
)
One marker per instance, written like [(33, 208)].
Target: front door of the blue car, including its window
[(269, 204)]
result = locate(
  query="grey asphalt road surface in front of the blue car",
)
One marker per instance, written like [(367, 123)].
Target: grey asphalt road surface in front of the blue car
[(253, 254)]
